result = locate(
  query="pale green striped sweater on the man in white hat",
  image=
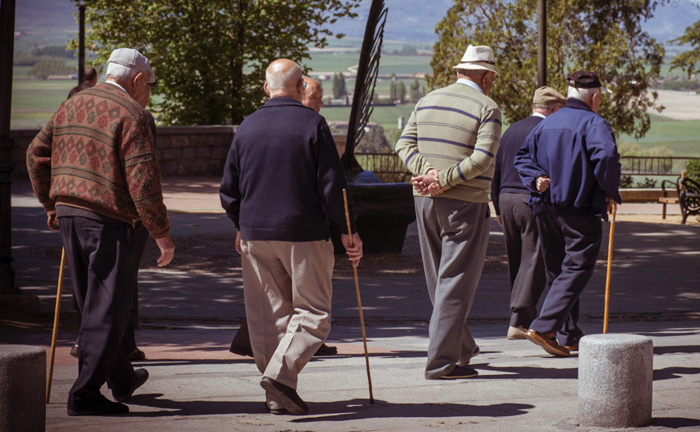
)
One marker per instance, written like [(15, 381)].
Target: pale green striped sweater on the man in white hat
[(457, 131)]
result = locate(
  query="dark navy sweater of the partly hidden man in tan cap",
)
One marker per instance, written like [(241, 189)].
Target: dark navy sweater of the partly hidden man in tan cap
[(506, 178)]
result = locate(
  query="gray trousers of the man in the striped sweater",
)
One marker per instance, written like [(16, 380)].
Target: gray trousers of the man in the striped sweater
[(453, 239)]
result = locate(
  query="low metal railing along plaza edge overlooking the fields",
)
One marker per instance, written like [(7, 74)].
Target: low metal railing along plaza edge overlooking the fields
[(390, 168)]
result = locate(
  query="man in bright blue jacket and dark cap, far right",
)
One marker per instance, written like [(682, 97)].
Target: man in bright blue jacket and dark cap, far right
[(570, 164)]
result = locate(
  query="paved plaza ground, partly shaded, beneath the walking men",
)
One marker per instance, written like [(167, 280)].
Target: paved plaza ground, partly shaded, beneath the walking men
[(189, 318)]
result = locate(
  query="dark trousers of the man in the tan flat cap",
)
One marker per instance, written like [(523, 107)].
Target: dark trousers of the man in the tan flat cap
[(525, 261)]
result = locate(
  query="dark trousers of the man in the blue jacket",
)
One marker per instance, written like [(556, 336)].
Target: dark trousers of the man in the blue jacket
[(570, 245)]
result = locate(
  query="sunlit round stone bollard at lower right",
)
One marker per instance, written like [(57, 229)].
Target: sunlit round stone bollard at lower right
[(615, 380)]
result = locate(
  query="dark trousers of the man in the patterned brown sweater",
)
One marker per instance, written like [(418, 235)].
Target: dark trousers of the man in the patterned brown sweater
[(101, 258)]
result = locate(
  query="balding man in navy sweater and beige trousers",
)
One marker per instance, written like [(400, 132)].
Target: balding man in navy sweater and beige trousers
[(282, 177)]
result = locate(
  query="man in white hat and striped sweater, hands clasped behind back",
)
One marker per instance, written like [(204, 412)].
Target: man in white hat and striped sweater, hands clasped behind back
[(449, 144)]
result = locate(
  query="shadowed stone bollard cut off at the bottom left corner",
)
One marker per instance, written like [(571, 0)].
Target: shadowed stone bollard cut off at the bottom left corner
[(22, 388)]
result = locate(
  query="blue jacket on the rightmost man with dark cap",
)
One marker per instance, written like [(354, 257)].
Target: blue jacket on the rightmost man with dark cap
[(576, 148)]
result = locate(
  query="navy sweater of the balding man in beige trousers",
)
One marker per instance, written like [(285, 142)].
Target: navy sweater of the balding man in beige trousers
[(283, 175)]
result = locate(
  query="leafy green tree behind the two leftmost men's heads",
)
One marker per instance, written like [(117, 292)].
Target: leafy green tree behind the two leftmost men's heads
[(210, 56)]
